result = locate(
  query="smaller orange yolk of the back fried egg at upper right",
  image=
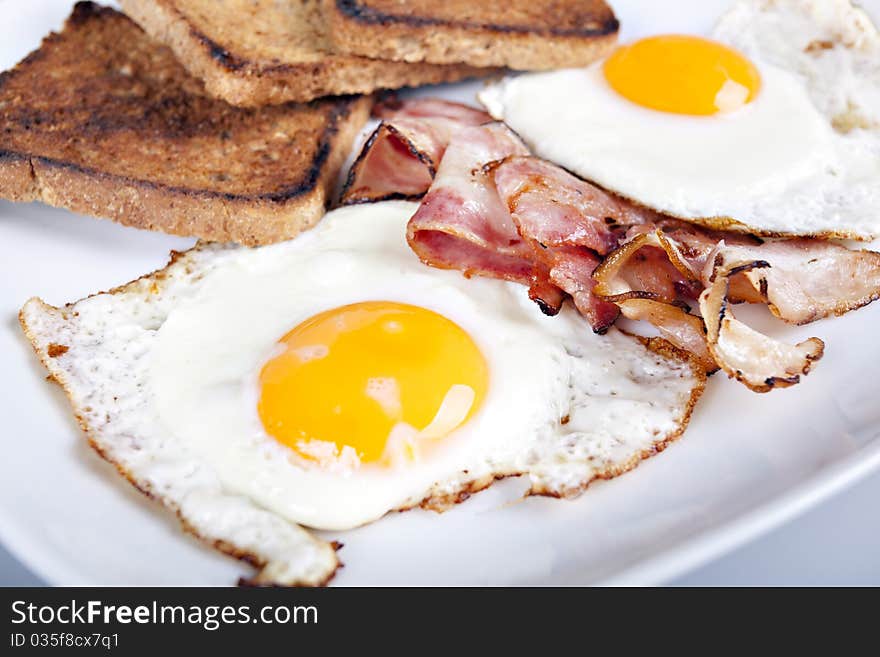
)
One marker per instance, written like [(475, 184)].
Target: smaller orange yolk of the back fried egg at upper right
[(683, 74)]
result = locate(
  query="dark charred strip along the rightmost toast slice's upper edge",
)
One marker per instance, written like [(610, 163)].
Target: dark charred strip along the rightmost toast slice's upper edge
[(359, 11)]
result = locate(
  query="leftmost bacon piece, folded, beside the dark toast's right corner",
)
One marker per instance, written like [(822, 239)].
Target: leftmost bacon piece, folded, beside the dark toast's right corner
[(401, 157)]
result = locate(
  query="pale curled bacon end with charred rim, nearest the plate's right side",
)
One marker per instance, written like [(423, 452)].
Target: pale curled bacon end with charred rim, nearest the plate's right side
[(756, 360)]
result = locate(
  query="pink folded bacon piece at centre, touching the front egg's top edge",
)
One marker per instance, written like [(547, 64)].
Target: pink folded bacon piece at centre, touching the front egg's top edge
[(461, 223)]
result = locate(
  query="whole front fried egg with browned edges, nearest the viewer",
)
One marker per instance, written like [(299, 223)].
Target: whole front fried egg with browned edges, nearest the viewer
[(325, 381)]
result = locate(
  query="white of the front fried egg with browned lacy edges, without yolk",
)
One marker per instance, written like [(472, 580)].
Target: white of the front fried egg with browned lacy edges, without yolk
[(161, 375)]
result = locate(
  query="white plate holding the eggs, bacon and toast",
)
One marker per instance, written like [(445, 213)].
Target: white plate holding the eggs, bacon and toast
[(747, 463)]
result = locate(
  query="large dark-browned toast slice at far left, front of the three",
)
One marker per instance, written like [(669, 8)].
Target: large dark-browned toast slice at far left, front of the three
[(104, 121)]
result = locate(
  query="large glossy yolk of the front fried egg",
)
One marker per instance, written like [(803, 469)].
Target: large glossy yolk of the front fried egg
[(374, 378)]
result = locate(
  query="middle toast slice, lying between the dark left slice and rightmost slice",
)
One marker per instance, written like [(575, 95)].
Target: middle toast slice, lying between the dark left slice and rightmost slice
[(259, 52)]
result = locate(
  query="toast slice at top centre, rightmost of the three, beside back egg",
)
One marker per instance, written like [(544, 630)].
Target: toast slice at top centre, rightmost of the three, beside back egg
[(519, 34)]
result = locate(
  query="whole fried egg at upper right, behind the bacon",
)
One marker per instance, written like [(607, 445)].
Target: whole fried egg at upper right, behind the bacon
[(771, 127)]
